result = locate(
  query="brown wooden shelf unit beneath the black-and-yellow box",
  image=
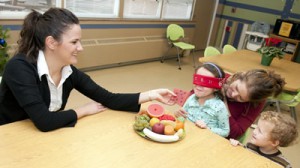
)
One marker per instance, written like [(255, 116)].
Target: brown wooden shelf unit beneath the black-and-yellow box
[(296, 54)]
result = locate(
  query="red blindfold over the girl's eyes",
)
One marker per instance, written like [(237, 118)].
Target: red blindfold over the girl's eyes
[(207, 81)]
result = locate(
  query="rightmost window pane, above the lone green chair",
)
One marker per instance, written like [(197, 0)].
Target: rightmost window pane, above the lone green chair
[(177, 9)]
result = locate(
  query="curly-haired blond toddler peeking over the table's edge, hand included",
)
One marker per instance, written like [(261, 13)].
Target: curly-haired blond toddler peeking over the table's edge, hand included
[(273, 130)]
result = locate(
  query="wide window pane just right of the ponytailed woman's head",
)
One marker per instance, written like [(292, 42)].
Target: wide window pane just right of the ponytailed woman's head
[(94, 8)]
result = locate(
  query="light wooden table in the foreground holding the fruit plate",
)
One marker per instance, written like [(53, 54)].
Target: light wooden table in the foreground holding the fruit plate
[(108, 140)]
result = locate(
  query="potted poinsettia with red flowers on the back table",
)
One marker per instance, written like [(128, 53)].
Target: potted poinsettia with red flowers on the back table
[(269, 52)]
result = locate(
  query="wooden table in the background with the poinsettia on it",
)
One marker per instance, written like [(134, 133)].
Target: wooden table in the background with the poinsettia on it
[(243, 60)]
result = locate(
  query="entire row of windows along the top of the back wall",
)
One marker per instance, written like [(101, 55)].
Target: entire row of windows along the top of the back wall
[(132, 9)]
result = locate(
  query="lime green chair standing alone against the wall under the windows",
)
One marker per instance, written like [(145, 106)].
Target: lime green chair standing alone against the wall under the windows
[(175, 35)]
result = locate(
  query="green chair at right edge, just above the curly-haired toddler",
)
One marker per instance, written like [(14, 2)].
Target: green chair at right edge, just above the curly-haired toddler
[(287, 99)]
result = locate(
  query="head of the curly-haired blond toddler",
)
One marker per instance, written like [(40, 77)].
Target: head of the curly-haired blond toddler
[(275, 129)]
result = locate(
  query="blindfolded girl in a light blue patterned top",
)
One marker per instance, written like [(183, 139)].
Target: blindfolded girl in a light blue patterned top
[(205, 106)]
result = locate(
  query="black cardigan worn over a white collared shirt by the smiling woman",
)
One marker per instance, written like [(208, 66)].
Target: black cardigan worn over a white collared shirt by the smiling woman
[(23, 95)]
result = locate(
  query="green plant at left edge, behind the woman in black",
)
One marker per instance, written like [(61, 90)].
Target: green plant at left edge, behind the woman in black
[(3, 49)]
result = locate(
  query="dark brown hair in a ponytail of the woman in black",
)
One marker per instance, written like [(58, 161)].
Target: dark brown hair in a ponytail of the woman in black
[(37, 27)]
